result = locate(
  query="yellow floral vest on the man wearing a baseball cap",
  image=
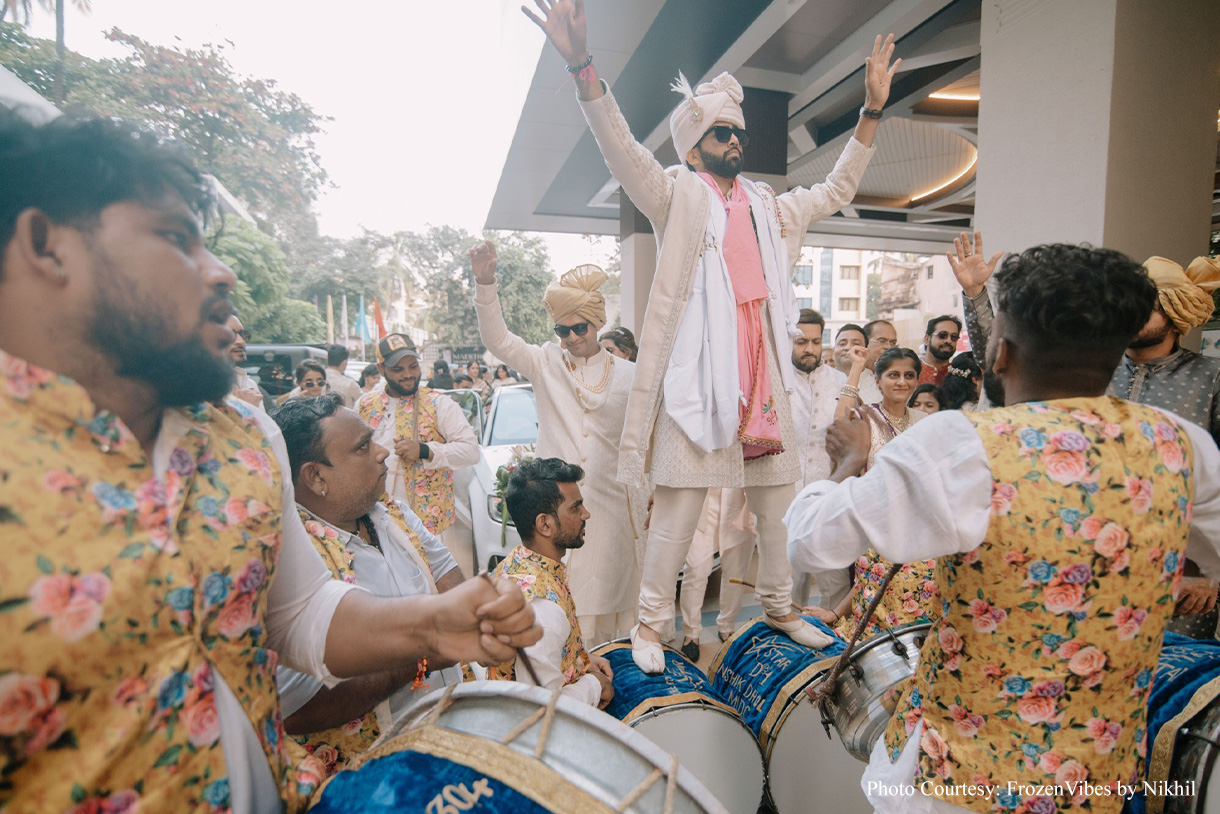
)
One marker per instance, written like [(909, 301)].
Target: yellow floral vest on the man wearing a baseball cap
[(430, 491)]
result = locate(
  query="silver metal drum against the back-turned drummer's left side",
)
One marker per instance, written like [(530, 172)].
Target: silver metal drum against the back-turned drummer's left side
[(866, 697)]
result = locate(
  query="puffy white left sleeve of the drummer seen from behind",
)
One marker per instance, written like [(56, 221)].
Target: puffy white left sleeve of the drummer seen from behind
[(928, 495)]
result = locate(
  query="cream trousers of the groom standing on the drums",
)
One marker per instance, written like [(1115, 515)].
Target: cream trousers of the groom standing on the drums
[(676, 513)]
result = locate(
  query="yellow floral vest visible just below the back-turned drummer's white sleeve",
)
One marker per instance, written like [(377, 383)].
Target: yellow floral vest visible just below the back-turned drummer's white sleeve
[(911, 599)]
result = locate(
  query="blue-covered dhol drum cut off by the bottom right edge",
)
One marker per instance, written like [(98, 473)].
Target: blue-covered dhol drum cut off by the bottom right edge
[(1184, 730)]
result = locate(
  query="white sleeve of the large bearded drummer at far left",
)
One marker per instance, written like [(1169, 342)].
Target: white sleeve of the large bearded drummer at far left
[(303, 597)]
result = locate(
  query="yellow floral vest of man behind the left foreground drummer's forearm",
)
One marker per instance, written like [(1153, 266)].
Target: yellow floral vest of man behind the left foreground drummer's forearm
[(335, 749)]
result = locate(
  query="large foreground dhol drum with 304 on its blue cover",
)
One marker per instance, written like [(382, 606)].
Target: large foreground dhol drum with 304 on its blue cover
[(501, 747)]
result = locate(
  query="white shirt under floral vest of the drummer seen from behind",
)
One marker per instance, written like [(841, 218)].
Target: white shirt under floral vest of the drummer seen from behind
[(929, 495)]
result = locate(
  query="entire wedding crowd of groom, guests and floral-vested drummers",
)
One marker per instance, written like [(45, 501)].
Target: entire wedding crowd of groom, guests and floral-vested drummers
[(213, 603)]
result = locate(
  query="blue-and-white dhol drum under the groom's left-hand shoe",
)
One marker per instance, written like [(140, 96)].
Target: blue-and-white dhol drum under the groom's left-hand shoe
[(679, 712)]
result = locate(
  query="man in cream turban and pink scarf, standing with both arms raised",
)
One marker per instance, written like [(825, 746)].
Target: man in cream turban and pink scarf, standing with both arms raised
[(709, 406)]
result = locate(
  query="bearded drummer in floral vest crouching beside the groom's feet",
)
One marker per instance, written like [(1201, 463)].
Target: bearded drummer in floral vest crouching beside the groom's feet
[(548, 511)]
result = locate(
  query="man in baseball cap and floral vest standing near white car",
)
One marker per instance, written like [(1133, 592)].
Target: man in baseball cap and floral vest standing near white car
[(428, 436)]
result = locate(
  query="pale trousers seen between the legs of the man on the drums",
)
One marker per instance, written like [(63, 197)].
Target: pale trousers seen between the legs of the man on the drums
[(729, 528)]
